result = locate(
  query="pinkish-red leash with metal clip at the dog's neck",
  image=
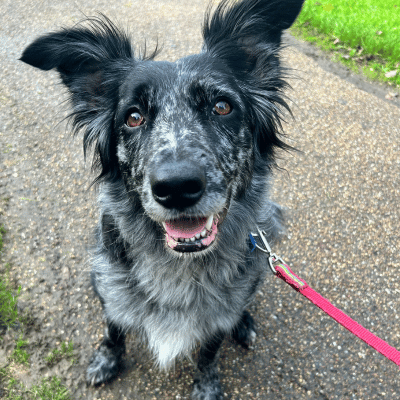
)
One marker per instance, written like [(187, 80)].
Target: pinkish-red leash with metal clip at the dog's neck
[(282, 271)]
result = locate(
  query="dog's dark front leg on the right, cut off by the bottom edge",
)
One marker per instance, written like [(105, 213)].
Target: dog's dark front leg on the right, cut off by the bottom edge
[(206, 382)]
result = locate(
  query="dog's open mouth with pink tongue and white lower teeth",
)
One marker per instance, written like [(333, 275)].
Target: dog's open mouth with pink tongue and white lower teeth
[(191, 234)]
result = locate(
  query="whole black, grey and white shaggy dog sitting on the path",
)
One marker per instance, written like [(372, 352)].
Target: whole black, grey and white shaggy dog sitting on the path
[(184, 152)]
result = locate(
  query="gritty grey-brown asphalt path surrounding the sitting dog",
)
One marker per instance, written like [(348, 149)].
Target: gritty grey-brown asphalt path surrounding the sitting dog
[(341, 192)]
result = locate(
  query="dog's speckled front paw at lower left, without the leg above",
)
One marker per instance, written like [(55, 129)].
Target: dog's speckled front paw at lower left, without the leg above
[(104, 365)]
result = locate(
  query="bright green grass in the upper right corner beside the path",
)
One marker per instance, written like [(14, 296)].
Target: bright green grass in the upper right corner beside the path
[(364, 33)]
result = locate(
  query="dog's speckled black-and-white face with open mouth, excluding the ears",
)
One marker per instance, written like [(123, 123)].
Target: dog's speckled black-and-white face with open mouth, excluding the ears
[(184, 146)]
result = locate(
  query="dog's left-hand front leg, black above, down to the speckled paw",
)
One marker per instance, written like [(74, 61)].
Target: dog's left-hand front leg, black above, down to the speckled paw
[(106, 361)]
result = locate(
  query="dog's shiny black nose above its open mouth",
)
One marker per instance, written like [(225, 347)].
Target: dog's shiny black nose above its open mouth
[(178, 185)]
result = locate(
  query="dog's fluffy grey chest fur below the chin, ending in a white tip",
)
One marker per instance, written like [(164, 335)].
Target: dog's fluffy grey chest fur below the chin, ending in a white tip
[(172, 311)]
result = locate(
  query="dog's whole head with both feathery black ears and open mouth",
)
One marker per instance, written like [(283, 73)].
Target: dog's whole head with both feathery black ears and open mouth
[(185, 137)]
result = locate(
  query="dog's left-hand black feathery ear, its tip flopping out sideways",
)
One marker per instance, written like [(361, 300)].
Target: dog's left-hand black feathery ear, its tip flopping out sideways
[(92, 62)]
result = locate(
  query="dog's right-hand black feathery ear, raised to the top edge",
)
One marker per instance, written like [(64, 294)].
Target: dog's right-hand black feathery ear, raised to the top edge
[(246, 36)]
